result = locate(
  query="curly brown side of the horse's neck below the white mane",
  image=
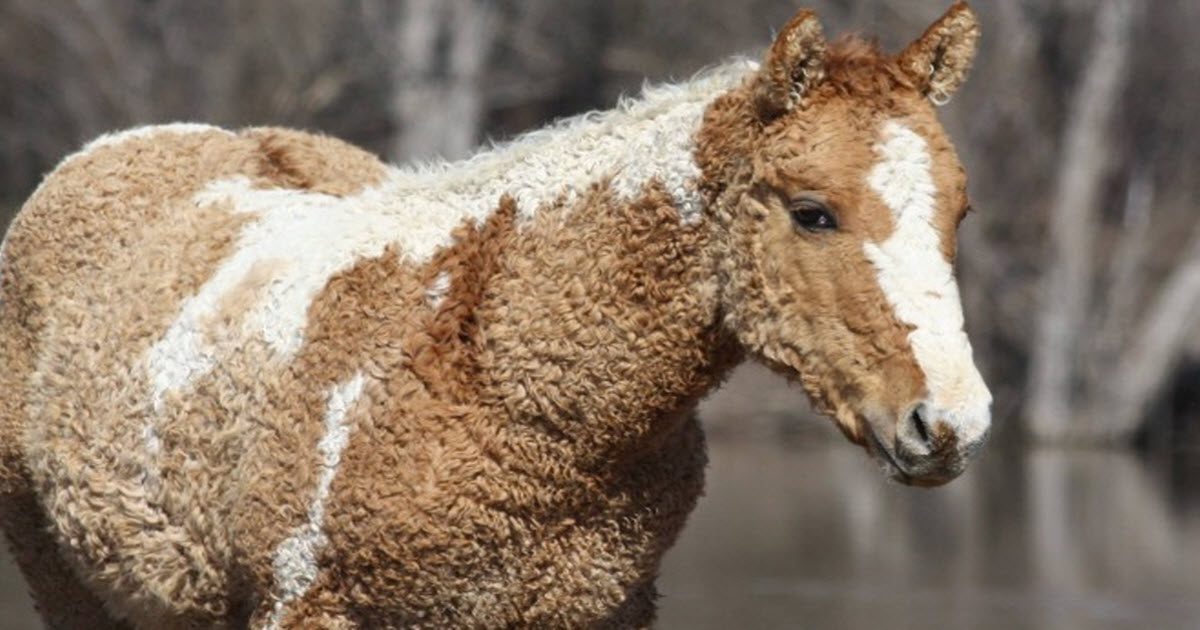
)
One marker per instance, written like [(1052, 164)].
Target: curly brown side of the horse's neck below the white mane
[(604, 321)]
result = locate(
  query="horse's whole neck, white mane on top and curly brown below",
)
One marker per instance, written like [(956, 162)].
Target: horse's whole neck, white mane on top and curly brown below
[(604, 325)]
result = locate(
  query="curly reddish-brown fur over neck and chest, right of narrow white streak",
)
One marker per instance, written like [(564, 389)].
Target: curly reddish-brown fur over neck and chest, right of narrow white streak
[(556, 491)]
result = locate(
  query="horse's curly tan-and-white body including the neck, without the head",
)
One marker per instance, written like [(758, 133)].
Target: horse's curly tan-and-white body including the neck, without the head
[(235, 319)]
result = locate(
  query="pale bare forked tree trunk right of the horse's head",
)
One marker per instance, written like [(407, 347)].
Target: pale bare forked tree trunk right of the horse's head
[(1100, 357)]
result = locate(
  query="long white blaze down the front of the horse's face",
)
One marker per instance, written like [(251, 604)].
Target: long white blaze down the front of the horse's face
[(920, 284)]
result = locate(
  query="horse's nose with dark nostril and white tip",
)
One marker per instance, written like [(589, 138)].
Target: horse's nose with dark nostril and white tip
[(934, 446)]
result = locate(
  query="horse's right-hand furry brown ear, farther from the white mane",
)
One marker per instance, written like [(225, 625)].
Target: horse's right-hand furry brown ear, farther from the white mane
[(940, 59)]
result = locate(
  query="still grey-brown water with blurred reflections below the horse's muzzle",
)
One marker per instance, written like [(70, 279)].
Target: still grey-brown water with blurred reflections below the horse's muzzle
[(815, 538)]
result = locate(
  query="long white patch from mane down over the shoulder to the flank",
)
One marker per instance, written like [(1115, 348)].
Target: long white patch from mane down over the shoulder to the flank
[(310, 237)]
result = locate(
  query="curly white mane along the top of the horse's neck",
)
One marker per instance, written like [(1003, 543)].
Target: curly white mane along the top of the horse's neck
[(641, 140)]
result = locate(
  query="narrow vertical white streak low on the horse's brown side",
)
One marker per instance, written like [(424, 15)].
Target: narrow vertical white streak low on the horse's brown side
[(296, 559)]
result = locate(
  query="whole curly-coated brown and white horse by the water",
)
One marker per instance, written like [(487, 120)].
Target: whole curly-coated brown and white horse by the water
[(262, 379)]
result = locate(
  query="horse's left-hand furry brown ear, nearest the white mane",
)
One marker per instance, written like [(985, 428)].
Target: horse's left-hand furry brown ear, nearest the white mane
[(794, 65)]
